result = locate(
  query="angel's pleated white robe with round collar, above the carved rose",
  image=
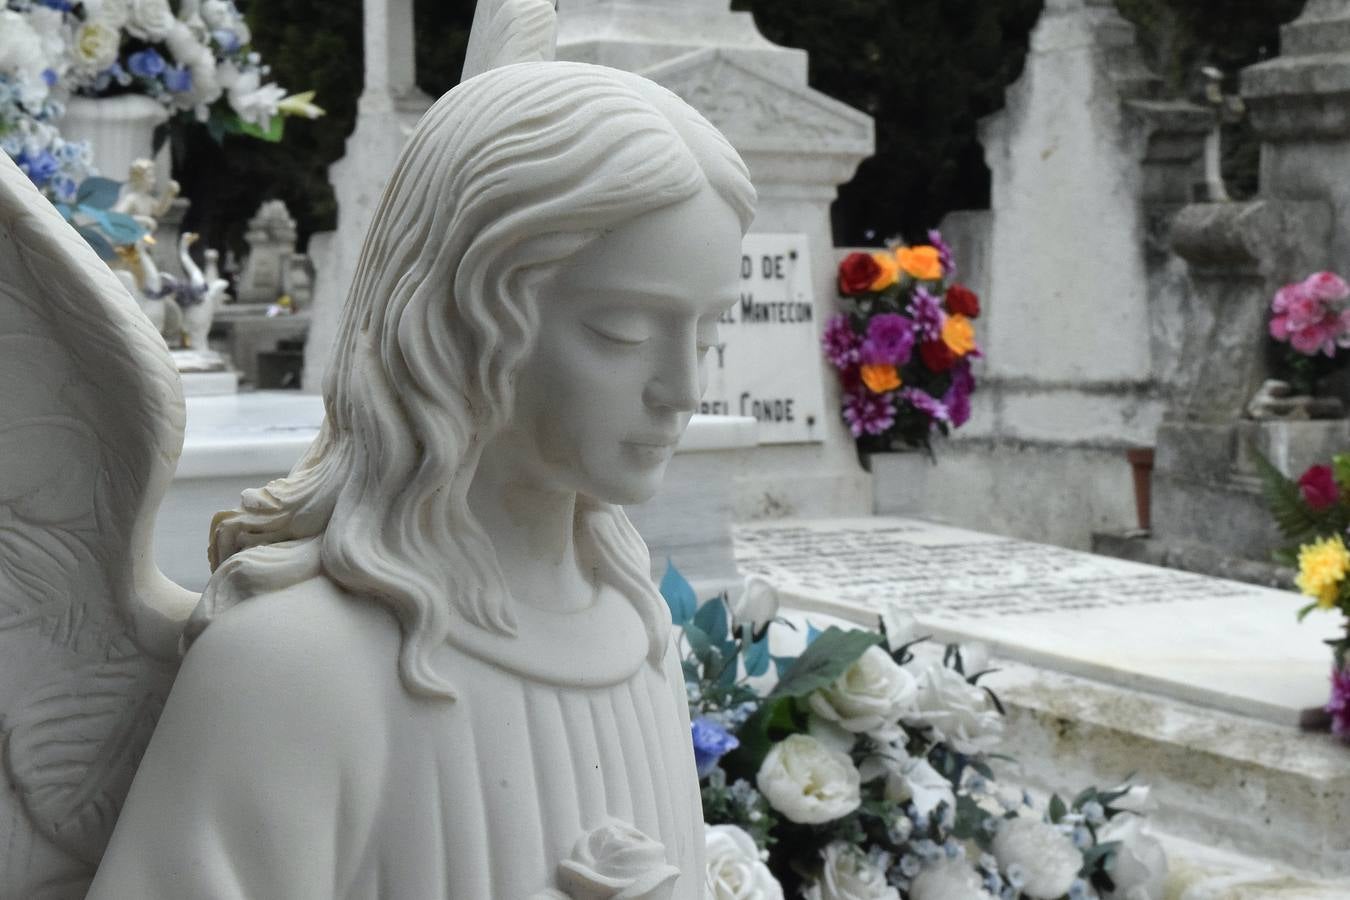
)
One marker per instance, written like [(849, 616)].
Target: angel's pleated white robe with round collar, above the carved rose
[(292, 763)]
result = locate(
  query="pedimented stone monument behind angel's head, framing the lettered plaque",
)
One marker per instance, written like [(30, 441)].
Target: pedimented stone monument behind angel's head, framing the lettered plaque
[(800, 146)]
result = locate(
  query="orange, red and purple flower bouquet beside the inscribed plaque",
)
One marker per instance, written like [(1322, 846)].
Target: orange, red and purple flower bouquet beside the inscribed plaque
[(904, 346)]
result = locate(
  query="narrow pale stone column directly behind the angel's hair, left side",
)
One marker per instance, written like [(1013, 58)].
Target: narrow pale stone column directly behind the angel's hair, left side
[(387, 111)]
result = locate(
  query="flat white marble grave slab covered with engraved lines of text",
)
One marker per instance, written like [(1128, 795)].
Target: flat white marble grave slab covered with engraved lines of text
[(1210, 642)]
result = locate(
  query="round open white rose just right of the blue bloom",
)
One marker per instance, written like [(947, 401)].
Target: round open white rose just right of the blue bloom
[(809, 783)]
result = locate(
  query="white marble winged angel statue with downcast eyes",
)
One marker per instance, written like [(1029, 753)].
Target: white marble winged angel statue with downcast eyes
[(431, 662)]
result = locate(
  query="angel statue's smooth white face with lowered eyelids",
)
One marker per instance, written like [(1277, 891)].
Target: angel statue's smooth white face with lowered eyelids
[(619, 366)]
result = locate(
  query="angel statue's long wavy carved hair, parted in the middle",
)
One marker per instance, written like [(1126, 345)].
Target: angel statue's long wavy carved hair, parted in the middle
[(508, 175)]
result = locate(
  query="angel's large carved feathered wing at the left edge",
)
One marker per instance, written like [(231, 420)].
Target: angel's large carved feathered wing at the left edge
[(91, 430)]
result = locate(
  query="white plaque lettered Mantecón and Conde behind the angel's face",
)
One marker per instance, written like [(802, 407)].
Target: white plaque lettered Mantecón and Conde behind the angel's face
[(767, 358)]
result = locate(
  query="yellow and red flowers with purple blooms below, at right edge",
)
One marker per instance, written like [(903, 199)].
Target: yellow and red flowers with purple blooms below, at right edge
[(1314, 515)]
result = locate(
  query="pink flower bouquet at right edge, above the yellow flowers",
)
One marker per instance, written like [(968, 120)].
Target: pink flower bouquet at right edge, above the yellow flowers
[(1313, 320)]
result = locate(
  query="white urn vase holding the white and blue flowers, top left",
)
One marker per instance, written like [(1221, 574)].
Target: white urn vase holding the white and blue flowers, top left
[(119, 130)]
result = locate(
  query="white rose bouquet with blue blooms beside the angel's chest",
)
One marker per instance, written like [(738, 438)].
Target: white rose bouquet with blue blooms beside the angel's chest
[(857, 772)]
